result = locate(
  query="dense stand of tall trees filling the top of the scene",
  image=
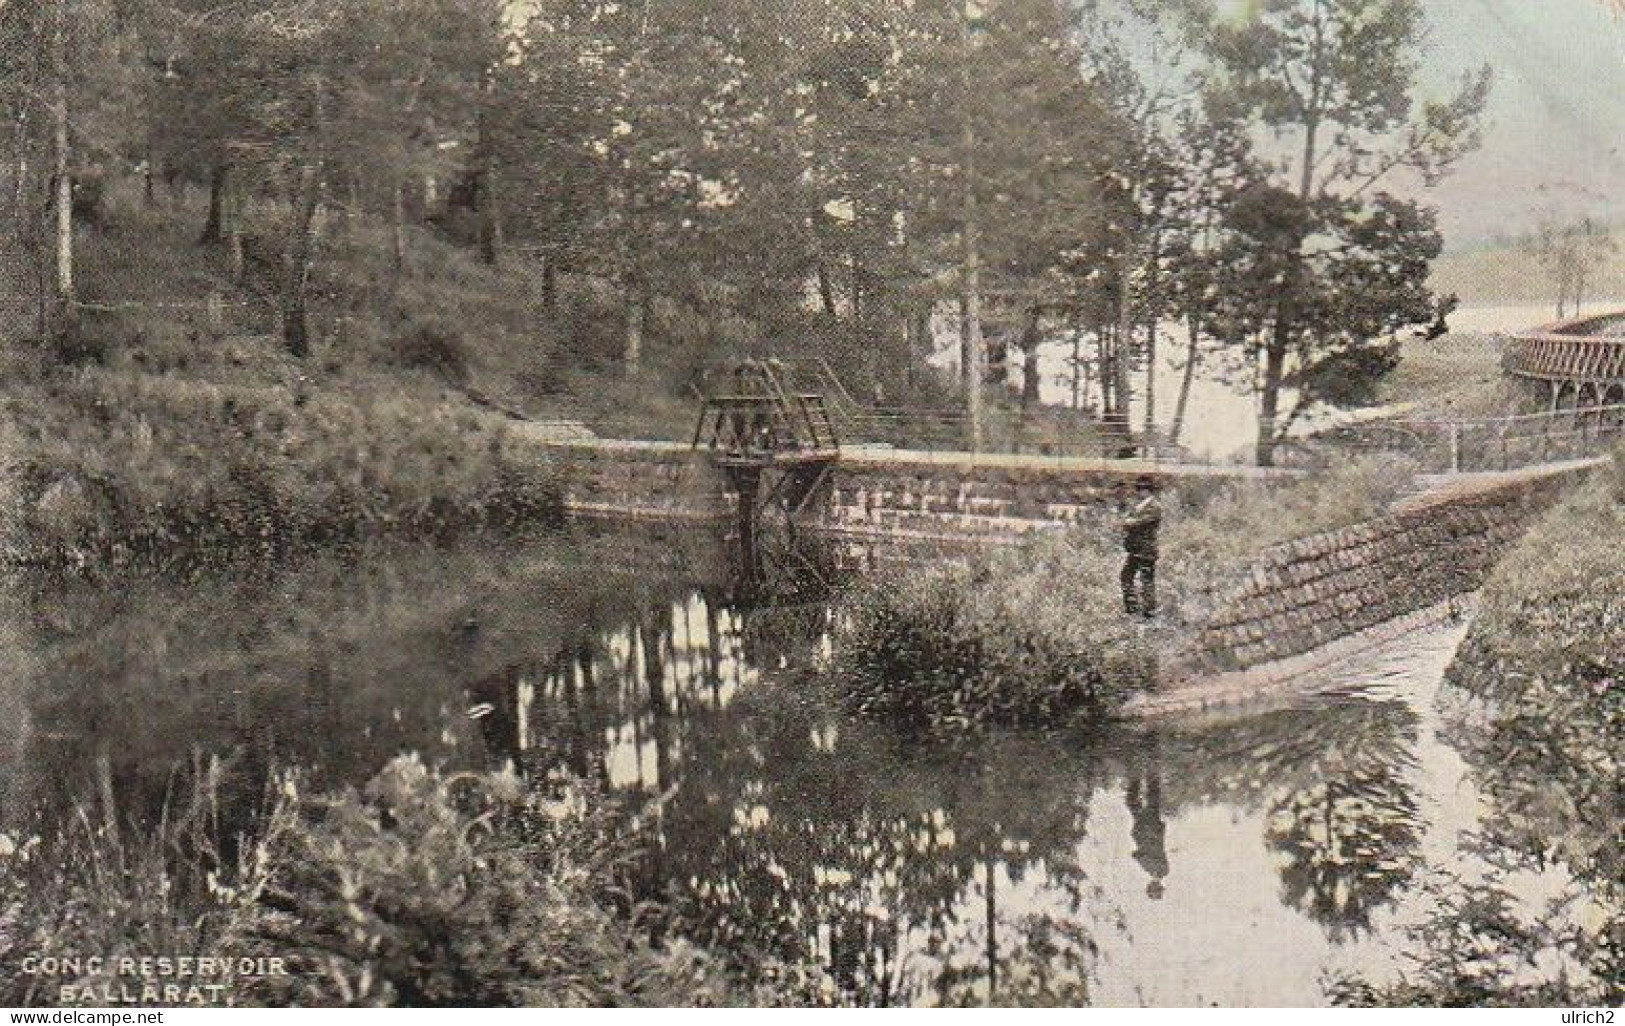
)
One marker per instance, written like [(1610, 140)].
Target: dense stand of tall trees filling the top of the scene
[(831, 178)]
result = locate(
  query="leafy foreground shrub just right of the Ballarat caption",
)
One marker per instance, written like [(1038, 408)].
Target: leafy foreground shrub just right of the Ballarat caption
[(464, 890)]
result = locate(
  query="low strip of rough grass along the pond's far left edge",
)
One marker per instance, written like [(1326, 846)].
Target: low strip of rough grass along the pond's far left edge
[(111, 466)]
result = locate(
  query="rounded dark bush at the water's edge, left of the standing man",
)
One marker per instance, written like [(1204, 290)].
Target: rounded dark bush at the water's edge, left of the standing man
[(1025, 638)]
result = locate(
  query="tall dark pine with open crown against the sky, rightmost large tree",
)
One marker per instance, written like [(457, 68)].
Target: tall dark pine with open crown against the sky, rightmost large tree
[(1328, 85)]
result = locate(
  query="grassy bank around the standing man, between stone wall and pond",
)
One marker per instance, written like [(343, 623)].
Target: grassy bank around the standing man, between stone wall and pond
[(1038, 635)]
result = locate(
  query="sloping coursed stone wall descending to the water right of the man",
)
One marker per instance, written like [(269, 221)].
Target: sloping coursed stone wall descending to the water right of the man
[(1319, 589)]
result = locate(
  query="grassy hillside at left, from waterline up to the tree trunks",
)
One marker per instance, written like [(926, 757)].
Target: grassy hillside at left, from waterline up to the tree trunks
[(167, 420)]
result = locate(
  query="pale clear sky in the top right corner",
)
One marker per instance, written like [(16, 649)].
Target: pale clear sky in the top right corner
[(1554, 142)]
